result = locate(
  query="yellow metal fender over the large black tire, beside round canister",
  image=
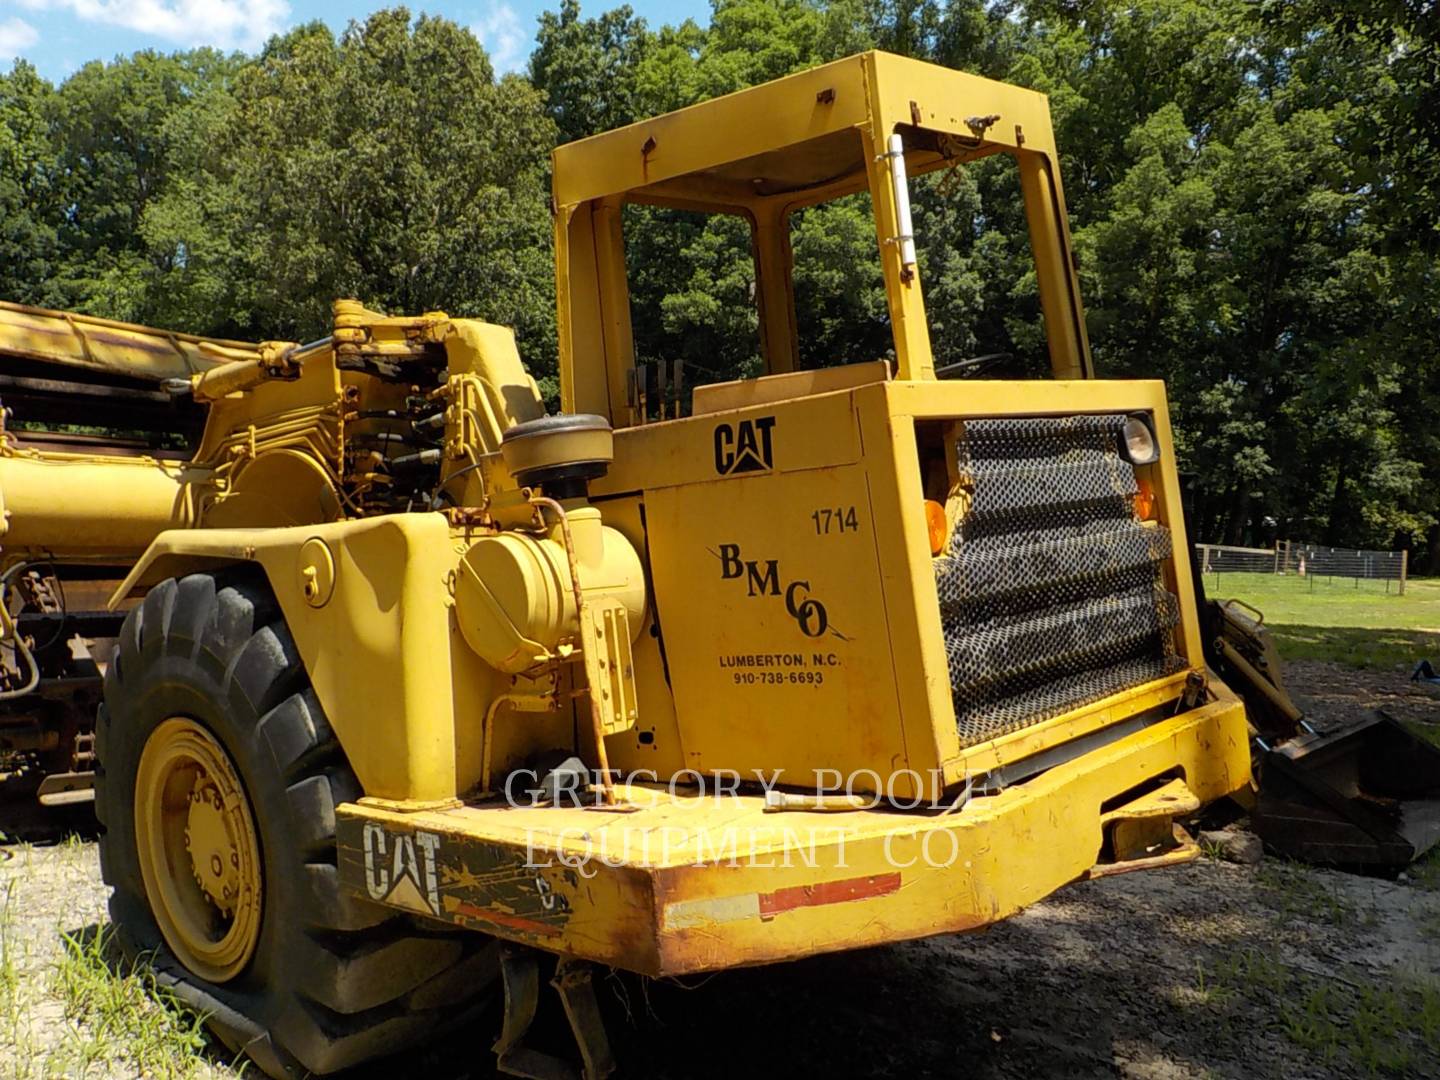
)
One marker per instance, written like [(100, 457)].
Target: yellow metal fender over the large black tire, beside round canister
[(384, 654)]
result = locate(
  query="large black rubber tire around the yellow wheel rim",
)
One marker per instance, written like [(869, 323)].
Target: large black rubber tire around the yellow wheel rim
[(335, 981)]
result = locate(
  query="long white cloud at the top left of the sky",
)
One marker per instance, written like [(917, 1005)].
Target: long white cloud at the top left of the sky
[(222, 24)]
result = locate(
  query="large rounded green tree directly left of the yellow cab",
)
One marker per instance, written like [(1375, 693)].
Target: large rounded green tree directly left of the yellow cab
[(388, 165)]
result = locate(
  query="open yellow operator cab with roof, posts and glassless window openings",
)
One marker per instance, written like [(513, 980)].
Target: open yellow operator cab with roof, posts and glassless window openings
[(820, 166)]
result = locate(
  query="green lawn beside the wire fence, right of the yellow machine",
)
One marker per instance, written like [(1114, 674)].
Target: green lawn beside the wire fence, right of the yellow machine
[(1334, 620)]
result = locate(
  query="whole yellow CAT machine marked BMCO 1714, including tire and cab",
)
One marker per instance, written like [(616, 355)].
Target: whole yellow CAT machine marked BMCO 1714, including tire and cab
[(721, 676)]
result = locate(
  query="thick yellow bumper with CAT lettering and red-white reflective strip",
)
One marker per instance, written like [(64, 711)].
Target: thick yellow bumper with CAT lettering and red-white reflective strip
[(678, 883)]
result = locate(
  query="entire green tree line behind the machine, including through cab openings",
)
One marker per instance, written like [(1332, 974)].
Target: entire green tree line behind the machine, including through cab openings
[(1254, 194)]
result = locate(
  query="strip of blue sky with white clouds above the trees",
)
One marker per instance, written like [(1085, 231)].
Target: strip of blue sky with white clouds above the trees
[(58, 37)]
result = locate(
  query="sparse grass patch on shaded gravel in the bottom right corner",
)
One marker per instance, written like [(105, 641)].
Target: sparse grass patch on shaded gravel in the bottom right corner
[(1380, 1029)]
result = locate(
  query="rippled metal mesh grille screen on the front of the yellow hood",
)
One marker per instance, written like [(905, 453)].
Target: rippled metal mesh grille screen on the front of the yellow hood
[(1050, 588)]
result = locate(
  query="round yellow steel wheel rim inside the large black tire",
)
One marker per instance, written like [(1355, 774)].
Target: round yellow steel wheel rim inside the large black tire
[(198, 849)]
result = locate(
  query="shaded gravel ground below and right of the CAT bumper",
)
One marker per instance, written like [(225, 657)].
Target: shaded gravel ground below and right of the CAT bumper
[(1192, 973)]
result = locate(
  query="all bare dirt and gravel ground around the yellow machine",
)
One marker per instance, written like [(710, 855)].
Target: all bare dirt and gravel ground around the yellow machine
[(1205, 971)]
